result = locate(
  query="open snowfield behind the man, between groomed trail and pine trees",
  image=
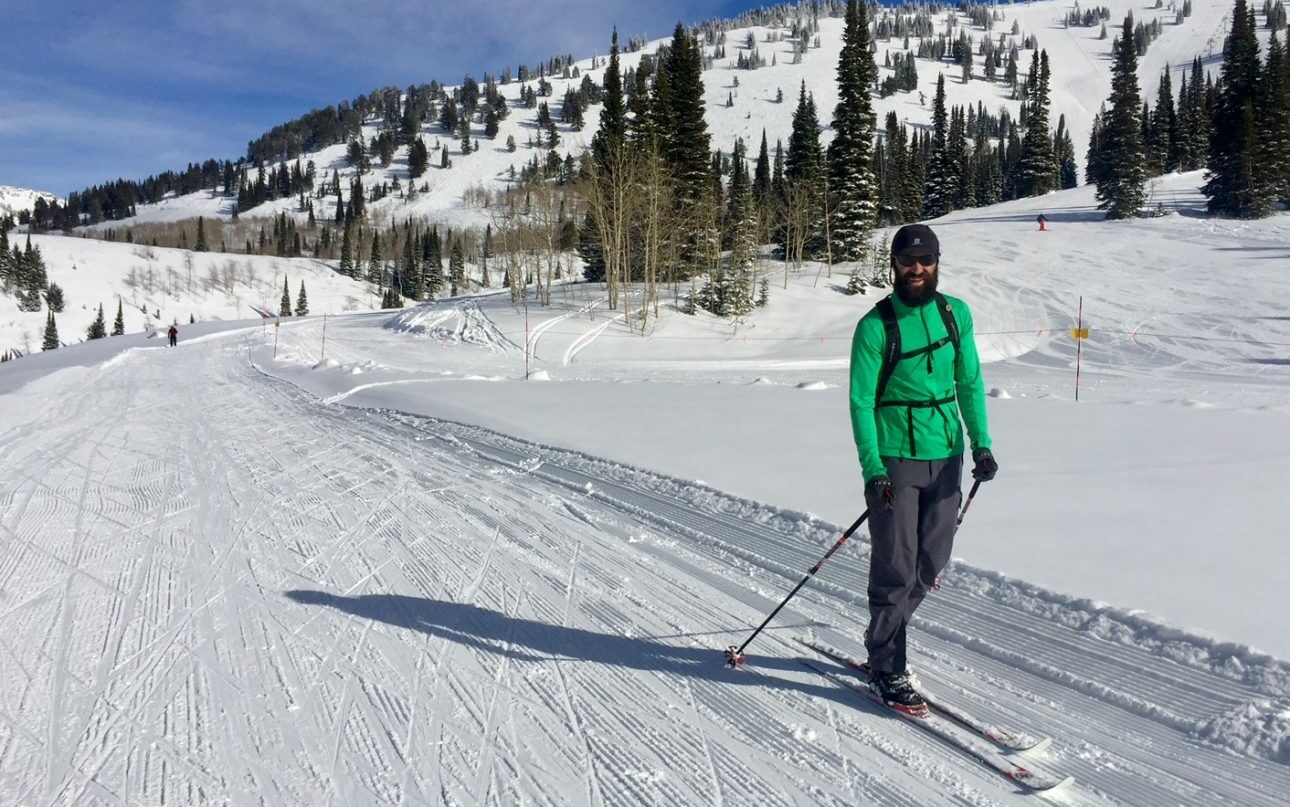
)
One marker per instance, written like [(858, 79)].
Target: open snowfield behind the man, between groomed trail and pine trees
[(1185, 385)]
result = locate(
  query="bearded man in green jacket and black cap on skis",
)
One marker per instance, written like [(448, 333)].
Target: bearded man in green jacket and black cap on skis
[(914, 371)]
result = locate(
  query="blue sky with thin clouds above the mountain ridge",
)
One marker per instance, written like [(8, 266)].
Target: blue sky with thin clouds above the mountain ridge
[(94, 91)]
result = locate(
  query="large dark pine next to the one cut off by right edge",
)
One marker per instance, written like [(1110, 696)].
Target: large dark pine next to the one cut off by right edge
[(1234, 185)]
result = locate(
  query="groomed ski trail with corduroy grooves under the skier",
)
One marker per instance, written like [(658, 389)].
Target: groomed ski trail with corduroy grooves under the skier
[(217, 590)]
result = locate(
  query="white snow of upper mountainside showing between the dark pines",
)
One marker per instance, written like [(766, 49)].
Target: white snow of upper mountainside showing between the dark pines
[(1082, 82)]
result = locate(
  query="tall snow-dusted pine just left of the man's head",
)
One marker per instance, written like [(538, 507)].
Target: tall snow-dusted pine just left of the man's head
[(851, 151)]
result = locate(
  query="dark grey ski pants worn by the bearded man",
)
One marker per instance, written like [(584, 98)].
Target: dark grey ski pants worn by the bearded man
[(911, 546)]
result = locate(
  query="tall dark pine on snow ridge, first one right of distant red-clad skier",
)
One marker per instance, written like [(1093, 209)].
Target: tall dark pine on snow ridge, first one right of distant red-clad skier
[(1123, 173)]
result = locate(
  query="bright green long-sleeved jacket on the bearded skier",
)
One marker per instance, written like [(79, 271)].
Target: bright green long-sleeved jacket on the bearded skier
[(937, 433)]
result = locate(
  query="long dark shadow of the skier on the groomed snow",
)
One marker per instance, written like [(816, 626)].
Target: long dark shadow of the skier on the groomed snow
[(527, 640)]
